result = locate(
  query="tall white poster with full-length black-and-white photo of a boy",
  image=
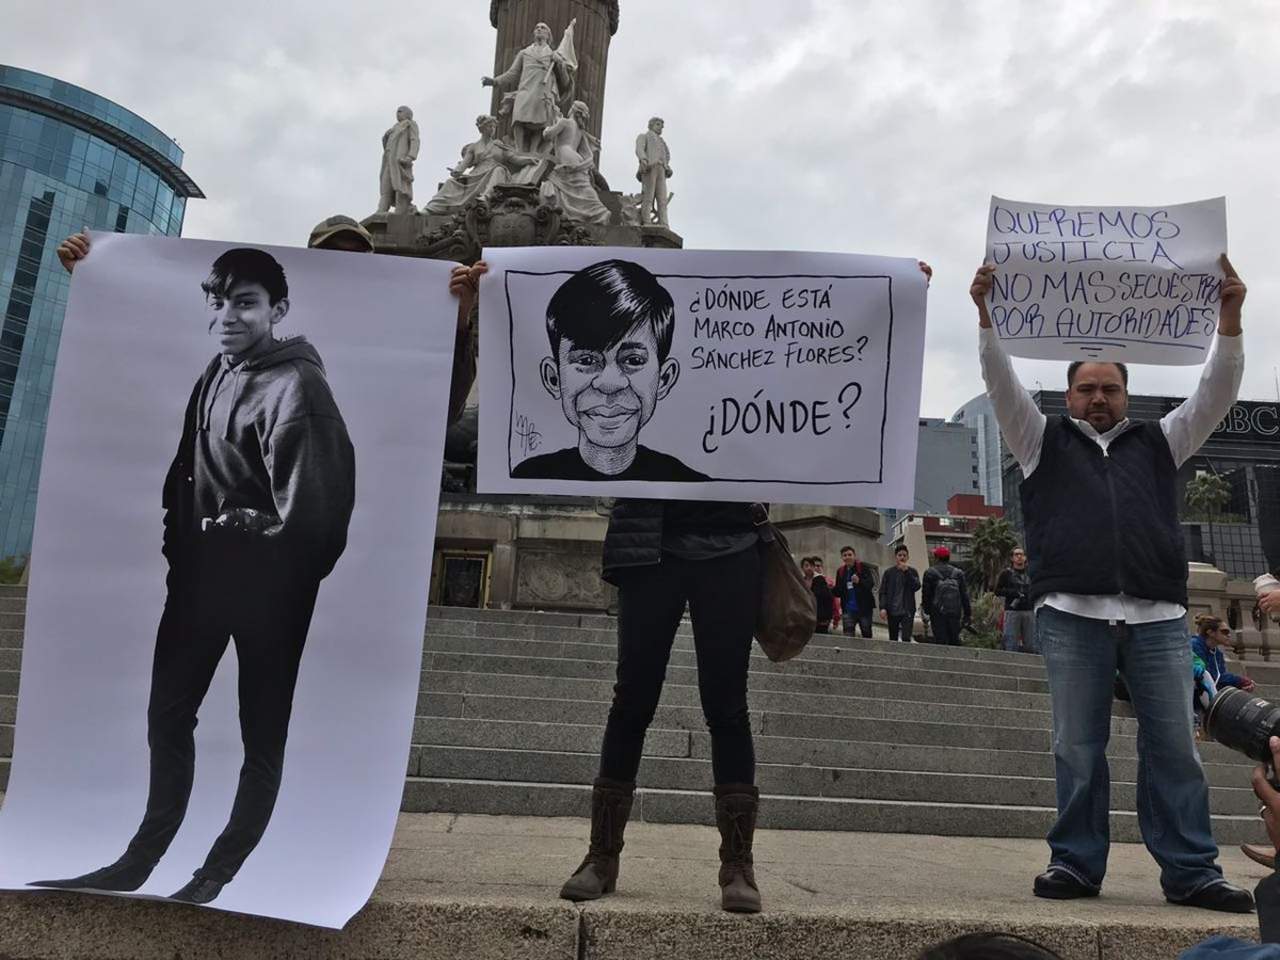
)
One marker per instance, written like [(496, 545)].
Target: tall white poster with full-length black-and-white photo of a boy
[(234, 537)]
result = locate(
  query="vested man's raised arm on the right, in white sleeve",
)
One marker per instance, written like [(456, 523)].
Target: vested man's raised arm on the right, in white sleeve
[(1191, 424)]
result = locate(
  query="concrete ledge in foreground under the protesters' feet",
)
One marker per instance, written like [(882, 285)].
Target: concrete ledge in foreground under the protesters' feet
[(481, 888)]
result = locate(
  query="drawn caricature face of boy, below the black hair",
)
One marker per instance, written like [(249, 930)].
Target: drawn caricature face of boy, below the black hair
[(610, 395)]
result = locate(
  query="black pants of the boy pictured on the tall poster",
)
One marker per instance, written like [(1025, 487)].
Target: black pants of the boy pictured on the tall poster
[(222, 592)]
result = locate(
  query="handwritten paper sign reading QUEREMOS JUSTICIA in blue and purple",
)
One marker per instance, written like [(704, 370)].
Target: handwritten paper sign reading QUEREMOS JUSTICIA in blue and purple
[(1131, 285)]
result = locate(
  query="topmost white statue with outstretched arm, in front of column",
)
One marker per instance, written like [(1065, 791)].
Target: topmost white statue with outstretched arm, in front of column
[(543, 79)]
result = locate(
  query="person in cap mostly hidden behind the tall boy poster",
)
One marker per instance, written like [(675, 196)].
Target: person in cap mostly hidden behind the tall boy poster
[(344, 234)]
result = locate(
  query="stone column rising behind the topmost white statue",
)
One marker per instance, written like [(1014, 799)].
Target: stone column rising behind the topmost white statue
[(597, 24)]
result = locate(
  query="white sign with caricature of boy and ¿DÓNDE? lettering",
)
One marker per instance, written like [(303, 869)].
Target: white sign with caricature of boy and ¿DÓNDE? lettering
[(701, 376)]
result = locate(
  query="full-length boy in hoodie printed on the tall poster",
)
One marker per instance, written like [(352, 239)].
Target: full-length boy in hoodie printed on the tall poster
[(257, 502)]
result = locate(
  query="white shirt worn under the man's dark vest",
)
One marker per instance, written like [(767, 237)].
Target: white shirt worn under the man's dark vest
[(1186, 428)]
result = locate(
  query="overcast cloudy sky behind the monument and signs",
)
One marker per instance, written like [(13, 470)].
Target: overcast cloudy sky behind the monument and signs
[(813, 125)]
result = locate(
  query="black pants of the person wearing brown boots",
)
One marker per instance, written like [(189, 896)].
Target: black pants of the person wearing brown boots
[(723, 596)]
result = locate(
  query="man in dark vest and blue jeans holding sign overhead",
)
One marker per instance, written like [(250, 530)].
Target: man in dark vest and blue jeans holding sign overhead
[(1109, 582)]
